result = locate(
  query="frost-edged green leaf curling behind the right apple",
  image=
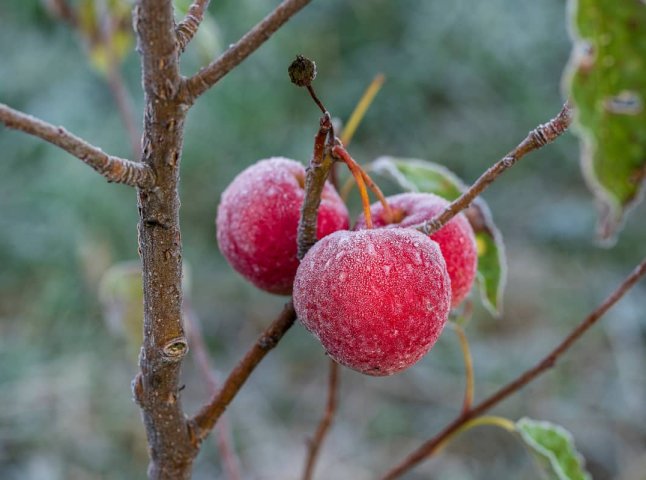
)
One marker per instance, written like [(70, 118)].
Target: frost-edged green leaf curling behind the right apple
[(421, 176)]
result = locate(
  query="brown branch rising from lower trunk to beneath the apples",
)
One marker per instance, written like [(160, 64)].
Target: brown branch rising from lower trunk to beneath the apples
[(208, 415)]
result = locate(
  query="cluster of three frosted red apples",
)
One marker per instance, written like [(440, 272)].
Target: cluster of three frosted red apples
[(377, 299)]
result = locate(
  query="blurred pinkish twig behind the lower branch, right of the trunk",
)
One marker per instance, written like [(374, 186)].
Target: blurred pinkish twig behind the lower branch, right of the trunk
[(223, 438)]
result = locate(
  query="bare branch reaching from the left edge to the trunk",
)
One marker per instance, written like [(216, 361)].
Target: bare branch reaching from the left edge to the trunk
[(114, 169)]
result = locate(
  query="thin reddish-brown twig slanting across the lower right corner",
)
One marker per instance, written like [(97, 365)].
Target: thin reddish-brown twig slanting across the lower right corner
[(428, 448)]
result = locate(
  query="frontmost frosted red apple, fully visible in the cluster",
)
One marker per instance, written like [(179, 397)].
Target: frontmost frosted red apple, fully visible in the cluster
[(376, 299)]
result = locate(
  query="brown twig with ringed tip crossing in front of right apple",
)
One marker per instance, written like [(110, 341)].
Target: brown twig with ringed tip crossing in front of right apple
[(537, 138)]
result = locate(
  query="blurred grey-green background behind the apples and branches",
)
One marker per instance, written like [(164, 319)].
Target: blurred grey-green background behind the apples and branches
[(465, 81)]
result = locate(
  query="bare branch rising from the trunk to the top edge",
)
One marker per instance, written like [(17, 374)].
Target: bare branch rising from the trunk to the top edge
[(254, 38)]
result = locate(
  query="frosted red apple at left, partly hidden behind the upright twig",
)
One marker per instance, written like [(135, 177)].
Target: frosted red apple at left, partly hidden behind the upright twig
[(258, 217)]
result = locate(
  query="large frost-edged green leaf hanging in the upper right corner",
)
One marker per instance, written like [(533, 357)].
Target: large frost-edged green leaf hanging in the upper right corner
[(606, 80)]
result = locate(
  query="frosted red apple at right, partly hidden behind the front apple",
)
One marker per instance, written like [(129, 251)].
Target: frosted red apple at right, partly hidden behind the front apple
[(456, 238)]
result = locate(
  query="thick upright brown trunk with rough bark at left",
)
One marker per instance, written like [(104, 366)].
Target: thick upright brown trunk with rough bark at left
[(170, 439)]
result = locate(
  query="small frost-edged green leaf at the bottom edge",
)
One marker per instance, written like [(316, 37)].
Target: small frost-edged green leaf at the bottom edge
[(553, 449)]
